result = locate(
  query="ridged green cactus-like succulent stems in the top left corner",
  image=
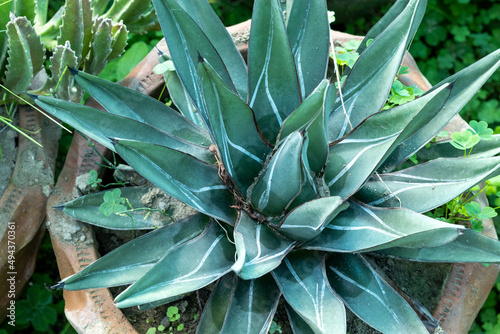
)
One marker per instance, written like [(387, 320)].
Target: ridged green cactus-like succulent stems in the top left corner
[(82, 34)]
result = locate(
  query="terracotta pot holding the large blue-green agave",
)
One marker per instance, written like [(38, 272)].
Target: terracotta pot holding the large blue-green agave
[(92, 311)]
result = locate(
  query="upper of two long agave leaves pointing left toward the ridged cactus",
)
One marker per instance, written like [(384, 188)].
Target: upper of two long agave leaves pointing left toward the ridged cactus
[(126, 102)]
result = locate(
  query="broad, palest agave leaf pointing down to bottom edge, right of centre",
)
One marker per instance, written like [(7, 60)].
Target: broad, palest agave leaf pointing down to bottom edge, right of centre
[(302, 280)]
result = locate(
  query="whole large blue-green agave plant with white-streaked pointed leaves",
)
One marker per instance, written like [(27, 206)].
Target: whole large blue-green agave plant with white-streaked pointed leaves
[(294, 180)]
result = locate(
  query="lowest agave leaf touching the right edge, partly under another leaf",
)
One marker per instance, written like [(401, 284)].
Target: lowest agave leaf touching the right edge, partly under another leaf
[(468, 247)]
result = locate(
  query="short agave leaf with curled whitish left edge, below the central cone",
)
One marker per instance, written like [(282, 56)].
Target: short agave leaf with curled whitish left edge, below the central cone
[(258, 247)]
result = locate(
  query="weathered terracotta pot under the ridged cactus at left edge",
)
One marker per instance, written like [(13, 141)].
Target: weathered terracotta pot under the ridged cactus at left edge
[(23, 202)]
